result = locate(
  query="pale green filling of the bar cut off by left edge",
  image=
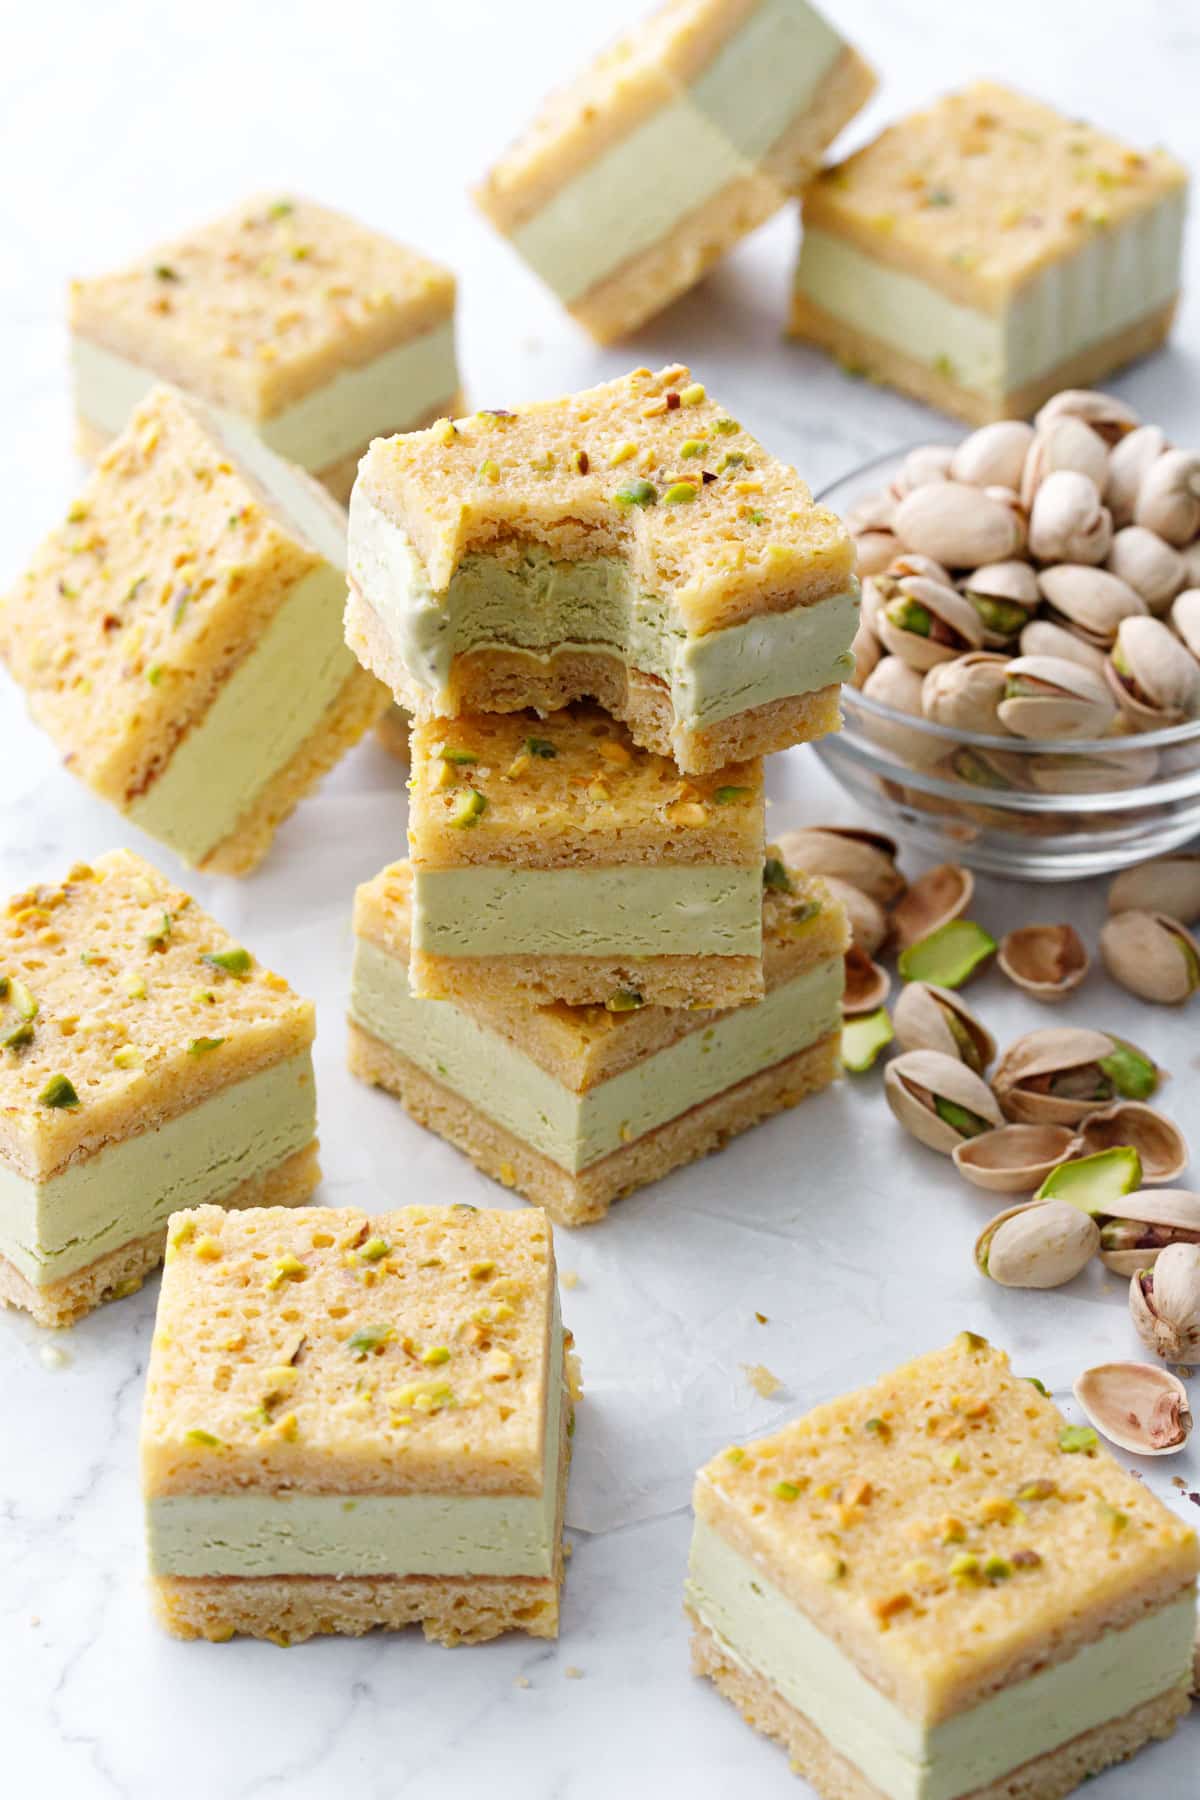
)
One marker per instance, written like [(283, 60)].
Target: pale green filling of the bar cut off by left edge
[(51, 1228)]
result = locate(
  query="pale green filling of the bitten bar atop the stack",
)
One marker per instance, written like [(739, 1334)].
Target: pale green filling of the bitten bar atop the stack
[(541, 606)]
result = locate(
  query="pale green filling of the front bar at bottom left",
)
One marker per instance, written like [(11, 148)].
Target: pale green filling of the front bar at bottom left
[(368, 1534)]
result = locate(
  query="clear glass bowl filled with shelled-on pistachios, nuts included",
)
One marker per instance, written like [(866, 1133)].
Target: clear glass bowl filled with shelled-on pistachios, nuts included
[(1026, 687)]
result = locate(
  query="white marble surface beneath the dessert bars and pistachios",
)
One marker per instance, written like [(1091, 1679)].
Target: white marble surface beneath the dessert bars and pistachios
[(118, 125)]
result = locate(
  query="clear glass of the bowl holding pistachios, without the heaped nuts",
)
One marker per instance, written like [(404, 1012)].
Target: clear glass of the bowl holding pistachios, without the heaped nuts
[(1043, 811)]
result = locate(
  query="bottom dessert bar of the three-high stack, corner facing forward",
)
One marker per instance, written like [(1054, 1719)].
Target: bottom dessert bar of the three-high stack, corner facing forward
[(577, 1106)]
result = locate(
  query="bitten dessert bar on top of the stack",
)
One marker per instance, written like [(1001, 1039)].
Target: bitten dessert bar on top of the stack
[(629, 544)]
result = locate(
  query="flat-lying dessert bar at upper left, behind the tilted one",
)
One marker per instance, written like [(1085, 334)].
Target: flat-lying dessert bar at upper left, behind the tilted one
[(300, 325)]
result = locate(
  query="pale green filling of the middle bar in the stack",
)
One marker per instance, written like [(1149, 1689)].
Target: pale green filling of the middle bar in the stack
[(629, 910)]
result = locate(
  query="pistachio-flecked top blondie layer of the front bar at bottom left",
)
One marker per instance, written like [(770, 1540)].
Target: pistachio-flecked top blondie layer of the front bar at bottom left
[(339, 1353)]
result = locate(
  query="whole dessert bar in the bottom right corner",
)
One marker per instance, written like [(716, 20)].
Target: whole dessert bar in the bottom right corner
[(936, 1588)]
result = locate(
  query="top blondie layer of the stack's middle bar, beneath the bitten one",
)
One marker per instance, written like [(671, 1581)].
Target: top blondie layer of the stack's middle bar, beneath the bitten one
[(571, 789)]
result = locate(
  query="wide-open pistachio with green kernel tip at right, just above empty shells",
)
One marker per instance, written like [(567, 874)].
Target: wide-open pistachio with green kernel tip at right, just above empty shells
[(1062, 1074)]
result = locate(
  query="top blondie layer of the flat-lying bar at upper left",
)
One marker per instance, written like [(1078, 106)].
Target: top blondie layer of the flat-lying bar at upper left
[(265, 305)]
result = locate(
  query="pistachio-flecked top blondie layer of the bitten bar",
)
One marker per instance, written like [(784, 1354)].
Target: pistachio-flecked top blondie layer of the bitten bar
[(649, 469)]
